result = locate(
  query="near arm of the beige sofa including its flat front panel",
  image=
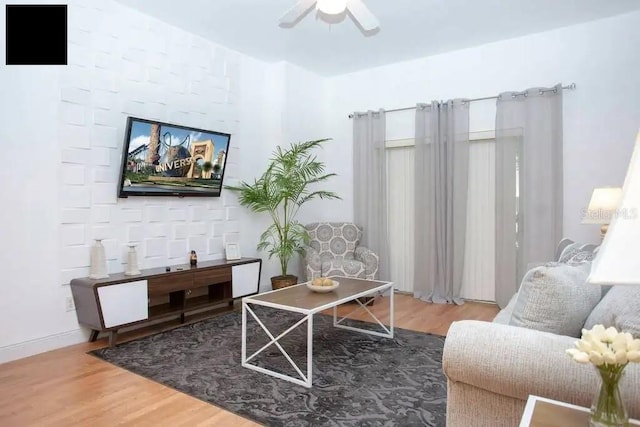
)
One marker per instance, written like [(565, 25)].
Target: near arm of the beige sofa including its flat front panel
[(492, 368)]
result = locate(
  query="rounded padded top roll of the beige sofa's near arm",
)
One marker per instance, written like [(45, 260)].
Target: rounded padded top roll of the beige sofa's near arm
[(518, 362)]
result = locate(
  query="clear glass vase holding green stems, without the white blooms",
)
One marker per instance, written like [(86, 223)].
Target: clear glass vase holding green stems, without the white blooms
[(608, 408)]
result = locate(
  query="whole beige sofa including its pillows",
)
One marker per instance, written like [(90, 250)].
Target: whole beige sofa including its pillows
[(493, 367)]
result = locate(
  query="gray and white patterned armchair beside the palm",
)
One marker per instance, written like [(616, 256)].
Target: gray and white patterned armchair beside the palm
[(333, 251)]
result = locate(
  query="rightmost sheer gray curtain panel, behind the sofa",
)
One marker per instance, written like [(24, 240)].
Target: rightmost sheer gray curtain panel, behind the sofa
[(528, 183)]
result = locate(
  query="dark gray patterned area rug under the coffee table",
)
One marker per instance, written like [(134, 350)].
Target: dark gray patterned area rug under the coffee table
[(358, 379)]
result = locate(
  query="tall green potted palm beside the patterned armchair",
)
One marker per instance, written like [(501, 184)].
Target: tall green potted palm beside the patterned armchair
[(287, 184)]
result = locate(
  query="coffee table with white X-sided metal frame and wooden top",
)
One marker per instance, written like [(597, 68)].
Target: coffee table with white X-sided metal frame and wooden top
[(299, 299)]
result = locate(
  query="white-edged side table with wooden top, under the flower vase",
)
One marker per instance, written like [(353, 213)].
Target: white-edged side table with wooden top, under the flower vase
[(543, 412)]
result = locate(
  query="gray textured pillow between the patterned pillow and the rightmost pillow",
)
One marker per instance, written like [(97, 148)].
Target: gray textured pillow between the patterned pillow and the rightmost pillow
[(554, 298)]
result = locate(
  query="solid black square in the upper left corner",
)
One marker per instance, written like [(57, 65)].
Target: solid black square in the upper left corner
[(36, 34)]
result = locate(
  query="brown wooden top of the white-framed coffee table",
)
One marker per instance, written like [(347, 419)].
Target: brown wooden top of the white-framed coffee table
[(301, 298)]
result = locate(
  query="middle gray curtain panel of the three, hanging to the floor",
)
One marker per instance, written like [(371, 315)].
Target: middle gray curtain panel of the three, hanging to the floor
[(441, 174)]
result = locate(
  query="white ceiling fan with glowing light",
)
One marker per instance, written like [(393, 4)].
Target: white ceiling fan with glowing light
[(360, 13)]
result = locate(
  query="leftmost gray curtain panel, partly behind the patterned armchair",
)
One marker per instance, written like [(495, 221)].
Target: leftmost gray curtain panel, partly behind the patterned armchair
[(370, 184)]
